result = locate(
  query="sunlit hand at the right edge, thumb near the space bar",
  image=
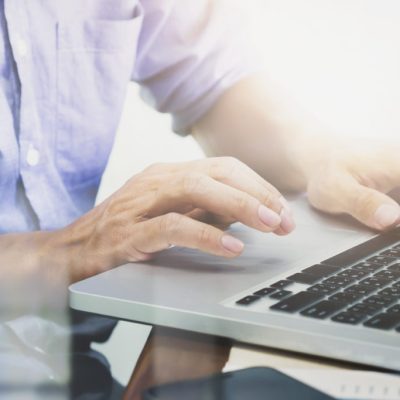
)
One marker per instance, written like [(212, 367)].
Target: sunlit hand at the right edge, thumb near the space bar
[(356, 182)]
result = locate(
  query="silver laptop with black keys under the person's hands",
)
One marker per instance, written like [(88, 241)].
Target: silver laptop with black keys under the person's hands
[(330, 289)]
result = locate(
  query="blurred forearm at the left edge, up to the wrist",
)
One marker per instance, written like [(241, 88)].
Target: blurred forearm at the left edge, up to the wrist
[(34, 274)]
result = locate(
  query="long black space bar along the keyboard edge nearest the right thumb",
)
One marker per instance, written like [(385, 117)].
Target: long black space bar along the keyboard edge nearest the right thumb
[(371, 246)]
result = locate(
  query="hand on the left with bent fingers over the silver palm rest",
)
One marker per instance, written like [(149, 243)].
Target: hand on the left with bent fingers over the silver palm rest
[(176, 204)]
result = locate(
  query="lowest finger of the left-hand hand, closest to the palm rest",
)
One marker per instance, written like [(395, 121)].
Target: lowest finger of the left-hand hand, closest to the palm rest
[(175, 229)]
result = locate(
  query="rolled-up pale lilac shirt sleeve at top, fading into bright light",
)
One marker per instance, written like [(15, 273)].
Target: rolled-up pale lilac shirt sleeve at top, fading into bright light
[(189, 53)]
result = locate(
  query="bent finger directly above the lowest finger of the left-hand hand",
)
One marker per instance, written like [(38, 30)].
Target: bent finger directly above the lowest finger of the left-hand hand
[(201, 191)]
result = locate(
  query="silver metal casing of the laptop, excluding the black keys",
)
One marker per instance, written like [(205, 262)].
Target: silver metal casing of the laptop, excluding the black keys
[(193, 291)]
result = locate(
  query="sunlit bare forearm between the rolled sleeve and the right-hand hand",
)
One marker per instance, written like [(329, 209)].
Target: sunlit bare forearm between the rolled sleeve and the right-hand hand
[(258, 123)]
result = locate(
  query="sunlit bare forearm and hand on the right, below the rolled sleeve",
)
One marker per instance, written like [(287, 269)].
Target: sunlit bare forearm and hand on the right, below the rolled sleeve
[(257, 123)]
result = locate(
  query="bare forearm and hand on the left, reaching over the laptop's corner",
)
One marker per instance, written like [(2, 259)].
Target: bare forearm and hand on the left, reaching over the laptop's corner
[(186, 204)]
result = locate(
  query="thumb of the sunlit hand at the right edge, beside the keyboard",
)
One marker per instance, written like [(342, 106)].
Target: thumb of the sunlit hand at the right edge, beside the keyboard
[(369, 206)]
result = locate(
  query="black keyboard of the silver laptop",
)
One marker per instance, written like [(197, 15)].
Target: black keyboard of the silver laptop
[(360, 286)]
